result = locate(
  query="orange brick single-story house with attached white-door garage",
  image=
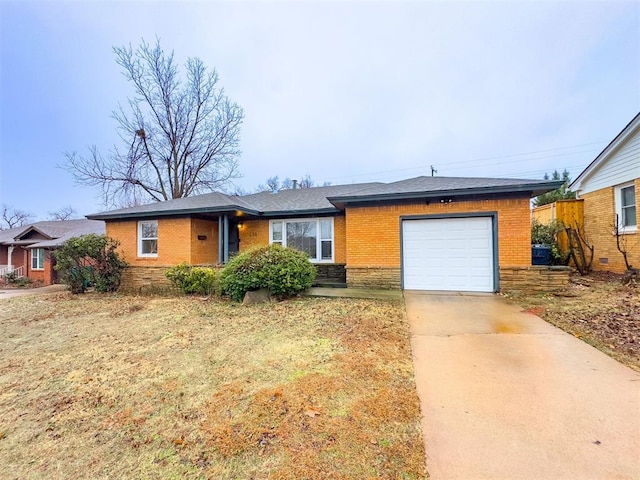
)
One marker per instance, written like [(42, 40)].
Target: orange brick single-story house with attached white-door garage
[(424, 233)]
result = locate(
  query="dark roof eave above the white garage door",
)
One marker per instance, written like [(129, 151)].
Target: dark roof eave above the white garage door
[(533, 190)]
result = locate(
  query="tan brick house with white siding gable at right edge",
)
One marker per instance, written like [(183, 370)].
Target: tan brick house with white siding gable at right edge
[(608, 188)]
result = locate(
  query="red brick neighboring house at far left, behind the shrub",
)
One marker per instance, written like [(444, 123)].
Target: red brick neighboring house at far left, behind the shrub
[(26, 250)]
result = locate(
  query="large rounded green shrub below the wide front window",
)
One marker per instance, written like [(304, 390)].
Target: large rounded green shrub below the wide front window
[(284, 271)]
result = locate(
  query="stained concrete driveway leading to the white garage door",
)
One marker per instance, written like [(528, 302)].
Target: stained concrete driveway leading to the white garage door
[(505, 395)]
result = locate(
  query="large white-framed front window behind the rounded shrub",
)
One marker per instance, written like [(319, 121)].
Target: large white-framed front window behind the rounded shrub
[(313, 236)]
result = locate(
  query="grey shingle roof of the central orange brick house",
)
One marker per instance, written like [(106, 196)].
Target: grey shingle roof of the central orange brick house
[(330, 199)]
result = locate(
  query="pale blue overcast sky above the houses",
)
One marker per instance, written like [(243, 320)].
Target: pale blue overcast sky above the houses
[(345, 92)]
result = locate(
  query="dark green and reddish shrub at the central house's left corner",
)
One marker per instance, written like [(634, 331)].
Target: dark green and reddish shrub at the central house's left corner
[(90, 260)]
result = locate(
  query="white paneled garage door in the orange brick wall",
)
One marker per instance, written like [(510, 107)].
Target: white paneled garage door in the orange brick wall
[(448, 254)]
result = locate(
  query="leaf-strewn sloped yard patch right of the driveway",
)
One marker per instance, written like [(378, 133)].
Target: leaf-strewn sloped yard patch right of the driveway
[(598, 309)]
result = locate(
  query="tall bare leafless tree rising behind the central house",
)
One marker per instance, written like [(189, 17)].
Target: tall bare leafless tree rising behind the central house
[(179, 136)]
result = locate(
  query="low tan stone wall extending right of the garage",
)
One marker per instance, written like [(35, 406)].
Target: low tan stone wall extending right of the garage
[(537, 278)]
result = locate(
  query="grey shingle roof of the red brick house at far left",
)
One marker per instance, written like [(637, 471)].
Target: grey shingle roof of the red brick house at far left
[(57, 231)]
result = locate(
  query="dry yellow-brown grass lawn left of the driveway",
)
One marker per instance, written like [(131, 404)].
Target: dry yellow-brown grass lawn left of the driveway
[(98, 386)]
